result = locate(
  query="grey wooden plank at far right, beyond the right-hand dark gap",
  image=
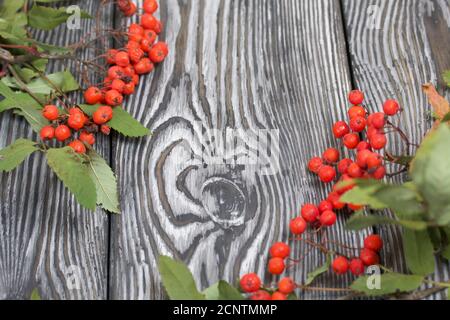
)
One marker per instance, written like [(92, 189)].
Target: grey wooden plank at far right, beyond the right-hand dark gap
[(395, 47)]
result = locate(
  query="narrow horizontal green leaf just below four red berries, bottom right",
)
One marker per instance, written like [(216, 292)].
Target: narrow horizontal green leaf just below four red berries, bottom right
[(390, 283)]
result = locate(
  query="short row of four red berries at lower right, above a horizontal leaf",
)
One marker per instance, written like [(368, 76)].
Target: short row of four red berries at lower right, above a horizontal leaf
[(367, 257)]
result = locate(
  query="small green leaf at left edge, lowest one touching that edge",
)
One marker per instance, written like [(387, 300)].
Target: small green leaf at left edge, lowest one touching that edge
[(12, 156)]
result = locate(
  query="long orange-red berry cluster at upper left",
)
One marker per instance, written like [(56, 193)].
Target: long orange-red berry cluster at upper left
[(126, 65)]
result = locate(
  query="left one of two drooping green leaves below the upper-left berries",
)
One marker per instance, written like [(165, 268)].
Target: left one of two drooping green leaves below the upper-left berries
[(70, 168)]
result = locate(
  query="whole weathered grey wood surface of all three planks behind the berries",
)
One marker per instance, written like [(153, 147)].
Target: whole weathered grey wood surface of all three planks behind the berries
[(234, 64)]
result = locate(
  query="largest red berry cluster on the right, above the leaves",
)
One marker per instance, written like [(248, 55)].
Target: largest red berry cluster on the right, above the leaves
[(368, 162)]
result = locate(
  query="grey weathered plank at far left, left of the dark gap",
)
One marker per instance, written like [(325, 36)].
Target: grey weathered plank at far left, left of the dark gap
[(46, 240)]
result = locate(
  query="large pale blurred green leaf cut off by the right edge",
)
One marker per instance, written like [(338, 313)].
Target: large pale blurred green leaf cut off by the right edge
[(431, 173)]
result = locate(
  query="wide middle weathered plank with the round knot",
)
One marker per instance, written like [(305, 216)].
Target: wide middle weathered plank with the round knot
[(233, 64)]
